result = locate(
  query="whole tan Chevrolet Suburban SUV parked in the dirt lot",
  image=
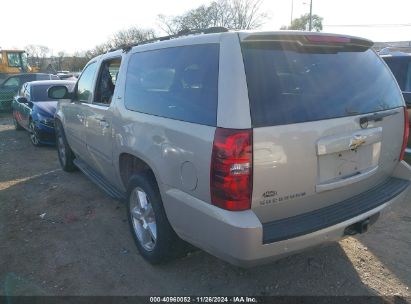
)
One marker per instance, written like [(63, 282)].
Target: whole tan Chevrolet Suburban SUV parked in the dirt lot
[(248, 145)]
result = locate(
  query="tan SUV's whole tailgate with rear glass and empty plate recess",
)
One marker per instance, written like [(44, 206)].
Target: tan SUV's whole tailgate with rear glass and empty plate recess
[(327, 119)]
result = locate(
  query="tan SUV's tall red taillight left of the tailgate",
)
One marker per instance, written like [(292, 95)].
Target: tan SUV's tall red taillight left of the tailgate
[(231, 169)]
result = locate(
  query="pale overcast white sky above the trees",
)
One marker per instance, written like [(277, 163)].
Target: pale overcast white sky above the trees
[(79, 25)]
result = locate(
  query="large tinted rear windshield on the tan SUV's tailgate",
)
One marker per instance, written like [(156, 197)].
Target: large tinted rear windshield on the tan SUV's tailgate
[(289, 84)]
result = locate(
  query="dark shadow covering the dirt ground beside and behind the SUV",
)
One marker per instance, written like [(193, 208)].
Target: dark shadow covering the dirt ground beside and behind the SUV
[(62, 235)]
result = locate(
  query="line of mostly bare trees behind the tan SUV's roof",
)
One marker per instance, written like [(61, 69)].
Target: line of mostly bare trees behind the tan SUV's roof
[(231, 14)]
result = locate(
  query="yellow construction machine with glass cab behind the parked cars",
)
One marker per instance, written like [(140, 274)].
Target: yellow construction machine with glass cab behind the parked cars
[(14, 62)]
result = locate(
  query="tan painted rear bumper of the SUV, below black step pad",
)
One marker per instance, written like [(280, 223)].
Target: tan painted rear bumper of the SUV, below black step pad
[(238, 237)]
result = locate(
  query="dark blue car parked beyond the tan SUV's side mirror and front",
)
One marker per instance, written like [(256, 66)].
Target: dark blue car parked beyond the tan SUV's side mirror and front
[(34, 111)]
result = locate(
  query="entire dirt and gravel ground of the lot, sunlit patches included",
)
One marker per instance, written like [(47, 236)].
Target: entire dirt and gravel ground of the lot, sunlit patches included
[(61, 235)]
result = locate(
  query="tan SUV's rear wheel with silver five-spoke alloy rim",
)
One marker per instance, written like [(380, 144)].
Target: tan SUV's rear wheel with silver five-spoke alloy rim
[(154, 237)]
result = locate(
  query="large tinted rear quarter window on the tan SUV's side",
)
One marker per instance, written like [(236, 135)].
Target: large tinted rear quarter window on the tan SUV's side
[(179, 83)]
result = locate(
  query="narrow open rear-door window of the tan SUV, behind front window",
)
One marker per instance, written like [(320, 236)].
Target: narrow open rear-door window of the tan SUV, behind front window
[(107, 81)]
